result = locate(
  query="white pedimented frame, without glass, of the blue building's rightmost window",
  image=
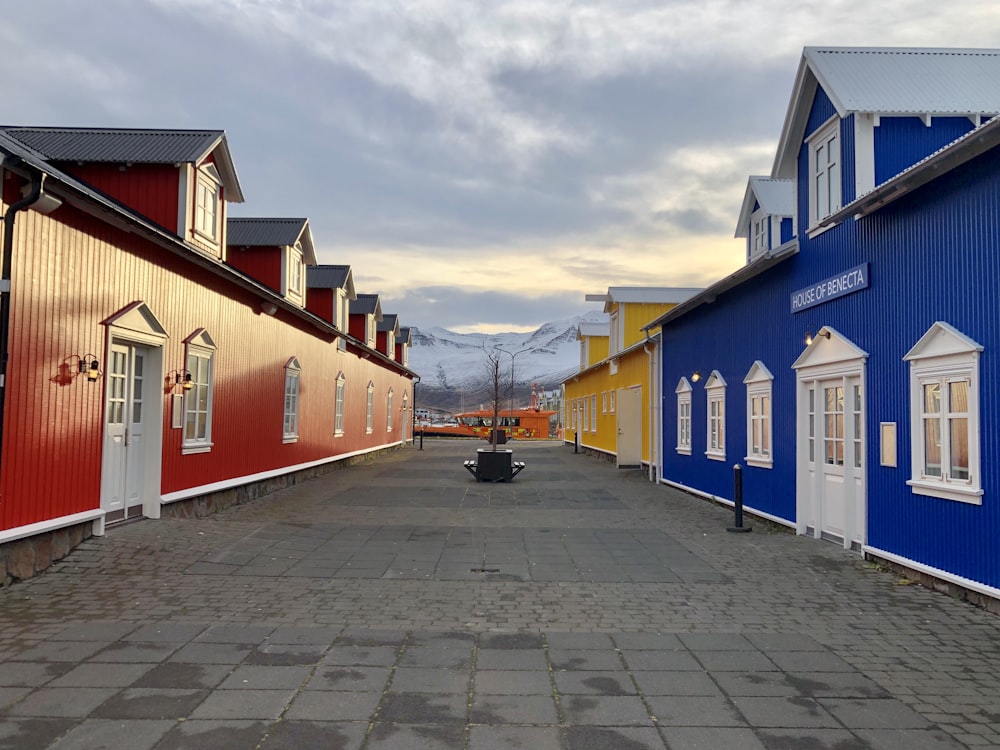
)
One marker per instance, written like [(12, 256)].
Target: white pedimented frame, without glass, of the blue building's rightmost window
[(944, 356)]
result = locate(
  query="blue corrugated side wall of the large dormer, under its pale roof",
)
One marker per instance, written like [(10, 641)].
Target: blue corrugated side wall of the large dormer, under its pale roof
[(901, 142)]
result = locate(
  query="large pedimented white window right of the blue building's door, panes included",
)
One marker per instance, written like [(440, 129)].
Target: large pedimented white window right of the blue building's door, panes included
[(944, 415)]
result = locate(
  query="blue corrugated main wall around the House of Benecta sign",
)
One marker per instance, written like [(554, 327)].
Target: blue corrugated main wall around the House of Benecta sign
[(933, 255)]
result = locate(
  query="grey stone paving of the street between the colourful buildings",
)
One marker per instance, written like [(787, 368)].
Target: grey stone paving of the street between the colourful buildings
[(398, 604)]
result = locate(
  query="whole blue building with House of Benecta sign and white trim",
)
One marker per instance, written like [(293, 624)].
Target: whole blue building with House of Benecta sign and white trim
[(850, 365)]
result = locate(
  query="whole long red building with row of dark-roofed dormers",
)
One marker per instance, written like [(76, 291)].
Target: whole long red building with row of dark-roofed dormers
[(157, 356)]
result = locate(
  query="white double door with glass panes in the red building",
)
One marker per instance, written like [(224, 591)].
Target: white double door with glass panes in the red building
[(122, 474)]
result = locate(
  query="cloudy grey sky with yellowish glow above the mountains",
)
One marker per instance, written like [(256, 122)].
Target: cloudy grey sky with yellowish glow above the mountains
[(481, 165)]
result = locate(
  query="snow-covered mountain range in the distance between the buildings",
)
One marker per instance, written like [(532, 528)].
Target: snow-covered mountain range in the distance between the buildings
[(452, 364)]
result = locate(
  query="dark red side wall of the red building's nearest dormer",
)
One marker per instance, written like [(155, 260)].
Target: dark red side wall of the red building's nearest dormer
[(149, 189)]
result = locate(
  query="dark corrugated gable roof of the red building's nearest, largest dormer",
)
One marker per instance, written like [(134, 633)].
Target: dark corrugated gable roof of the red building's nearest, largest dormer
[(133, 145)]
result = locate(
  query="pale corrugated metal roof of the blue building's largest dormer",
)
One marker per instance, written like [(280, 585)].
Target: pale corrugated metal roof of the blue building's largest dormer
[(889, 81)]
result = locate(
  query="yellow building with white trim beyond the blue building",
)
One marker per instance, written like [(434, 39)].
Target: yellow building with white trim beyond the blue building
[(606, 406)]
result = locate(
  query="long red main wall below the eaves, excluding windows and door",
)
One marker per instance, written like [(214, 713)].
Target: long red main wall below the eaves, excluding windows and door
[(71, 271)]
